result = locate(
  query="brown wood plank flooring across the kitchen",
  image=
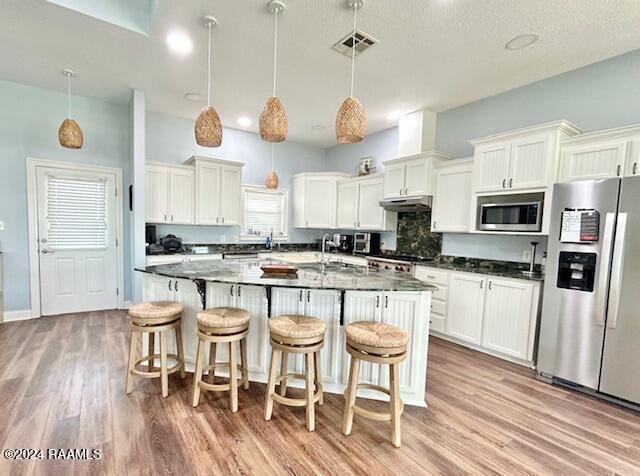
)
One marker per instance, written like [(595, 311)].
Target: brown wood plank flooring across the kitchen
[(62, 386)]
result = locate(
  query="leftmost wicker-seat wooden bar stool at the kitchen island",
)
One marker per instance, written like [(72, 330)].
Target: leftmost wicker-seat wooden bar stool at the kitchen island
[(150, 318)]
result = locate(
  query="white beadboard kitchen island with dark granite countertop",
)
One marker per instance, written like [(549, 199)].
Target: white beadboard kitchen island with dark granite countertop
[(336, 293)]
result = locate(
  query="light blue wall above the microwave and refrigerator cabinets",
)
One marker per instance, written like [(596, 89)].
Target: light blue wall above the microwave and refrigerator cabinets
[(599, 96)]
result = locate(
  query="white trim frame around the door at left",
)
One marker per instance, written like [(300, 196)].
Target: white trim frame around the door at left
[(32, 207)]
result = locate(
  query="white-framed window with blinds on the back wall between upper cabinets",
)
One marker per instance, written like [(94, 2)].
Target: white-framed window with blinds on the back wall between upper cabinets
[(264, 211)]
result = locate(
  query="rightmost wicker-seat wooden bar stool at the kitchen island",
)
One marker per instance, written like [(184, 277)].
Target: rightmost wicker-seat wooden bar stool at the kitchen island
[(382, 344)]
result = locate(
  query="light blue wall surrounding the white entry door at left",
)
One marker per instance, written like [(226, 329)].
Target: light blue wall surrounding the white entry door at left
[(29, 121)]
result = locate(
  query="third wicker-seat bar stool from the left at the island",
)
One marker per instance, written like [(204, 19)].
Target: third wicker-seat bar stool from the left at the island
[(296, 335)]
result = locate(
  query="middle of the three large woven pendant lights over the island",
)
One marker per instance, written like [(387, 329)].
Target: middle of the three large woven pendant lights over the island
[(273, 122)]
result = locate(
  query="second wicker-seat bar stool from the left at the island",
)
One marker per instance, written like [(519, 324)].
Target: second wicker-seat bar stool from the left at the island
[(222, 325)]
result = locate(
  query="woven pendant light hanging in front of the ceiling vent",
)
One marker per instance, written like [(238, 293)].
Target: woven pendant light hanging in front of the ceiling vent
[(351, 121)]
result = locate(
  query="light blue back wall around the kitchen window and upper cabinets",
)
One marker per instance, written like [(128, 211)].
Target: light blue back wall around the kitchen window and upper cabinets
[(170, 139)]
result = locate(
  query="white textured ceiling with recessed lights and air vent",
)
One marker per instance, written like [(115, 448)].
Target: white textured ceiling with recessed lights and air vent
[(435, 54)]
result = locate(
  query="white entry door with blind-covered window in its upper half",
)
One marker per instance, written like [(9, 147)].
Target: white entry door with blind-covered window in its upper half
[(77, 240)]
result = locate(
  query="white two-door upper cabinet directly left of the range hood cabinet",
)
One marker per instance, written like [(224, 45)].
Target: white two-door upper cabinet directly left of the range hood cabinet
[(359, 205)]
